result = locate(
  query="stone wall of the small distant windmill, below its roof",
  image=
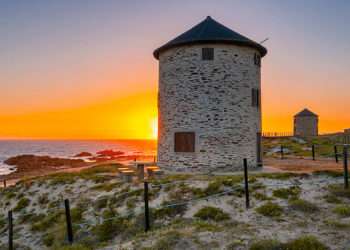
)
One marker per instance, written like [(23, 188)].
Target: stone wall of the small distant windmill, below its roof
[(305, 126)]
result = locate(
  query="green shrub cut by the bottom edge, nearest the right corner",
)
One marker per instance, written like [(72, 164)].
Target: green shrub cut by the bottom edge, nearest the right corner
[(305, 243)]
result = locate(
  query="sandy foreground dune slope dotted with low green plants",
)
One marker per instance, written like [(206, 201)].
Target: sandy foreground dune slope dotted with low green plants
[(107, 213)]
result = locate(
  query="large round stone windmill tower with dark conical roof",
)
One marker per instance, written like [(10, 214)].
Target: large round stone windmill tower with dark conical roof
[(209, 102)]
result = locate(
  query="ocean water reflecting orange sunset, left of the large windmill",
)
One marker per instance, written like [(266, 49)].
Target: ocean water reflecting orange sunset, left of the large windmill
[(69, 148)]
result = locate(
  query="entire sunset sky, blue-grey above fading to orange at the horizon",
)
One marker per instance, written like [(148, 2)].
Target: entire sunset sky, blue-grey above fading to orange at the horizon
[(72, 69)]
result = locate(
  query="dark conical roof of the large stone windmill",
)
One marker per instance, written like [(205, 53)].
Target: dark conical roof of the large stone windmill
[(210, 31)]
